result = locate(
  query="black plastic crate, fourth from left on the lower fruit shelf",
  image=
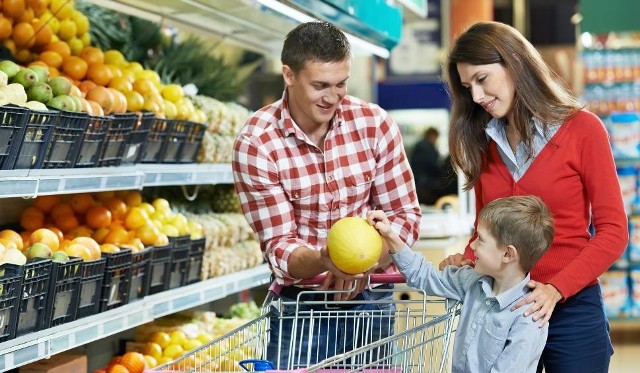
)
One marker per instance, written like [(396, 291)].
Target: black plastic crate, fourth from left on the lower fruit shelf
[(91, 287)]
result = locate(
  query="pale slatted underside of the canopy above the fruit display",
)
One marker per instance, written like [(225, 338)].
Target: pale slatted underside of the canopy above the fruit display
[(246, 23)]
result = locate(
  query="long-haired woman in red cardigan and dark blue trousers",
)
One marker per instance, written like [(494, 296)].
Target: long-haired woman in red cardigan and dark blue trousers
[(515, 130)]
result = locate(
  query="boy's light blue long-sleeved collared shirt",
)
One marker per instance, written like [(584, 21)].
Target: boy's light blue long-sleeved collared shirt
[(489, 336)]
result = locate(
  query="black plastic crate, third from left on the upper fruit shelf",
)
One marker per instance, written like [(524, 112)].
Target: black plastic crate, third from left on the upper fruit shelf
[(66, 140)]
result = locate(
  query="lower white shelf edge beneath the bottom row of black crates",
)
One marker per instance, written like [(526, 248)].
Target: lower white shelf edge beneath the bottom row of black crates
[(43, 344)]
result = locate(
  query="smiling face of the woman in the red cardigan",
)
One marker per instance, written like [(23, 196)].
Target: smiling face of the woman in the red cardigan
[(490, 87)]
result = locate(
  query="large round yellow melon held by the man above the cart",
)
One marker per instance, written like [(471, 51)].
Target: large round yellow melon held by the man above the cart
[(353, 245)]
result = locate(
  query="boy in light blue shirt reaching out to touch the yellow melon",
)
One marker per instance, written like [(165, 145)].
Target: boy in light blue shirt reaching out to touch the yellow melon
[(513, 233)]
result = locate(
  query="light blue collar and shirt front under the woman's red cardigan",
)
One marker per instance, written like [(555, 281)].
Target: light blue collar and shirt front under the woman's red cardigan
[(518, 163)]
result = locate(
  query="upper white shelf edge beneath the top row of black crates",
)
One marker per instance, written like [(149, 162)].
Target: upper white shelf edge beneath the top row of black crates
[(32, 183)]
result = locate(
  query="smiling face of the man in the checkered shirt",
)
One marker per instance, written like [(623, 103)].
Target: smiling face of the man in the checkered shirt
[(316, 91)]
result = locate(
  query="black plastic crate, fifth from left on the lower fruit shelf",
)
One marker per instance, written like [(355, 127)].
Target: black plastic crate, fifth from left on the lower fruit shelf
[(117, 280)]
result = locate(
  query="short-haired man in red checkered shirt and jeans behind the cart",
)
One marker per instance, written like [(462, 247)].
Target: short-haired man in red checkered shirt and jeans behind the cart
[(307, 160)]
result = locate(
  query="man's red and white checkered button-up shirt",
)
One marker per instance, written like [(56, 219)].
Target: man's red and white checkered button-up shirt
[(291, 191)]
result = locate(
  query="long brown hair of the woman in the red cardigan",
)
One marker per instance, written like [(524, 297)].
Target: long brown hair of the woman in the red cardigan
[(538, 92)]
